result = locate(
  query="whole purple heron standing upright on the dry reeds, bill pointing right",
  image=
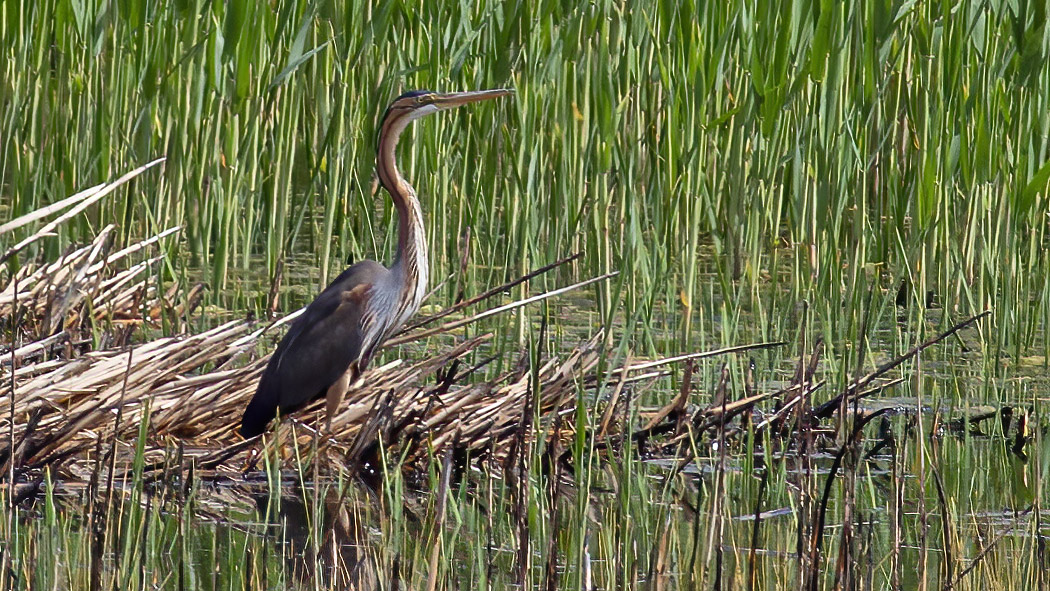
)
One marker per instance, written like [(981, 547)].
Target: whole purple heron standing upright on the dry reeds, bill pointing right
[(332, 343)]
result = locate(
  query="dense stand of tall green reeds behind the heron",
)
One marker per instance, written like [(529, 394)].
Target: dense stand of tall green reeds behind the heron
[(667, 142)]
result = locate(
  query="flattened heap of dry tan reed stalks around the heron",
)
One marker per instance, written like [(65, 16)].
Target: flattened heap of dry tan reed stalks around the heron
[(196, 387)]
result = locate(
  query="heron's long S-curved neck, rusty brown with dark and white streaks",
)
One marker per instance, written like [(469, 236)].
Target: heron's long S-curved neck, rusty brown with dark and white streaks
[(411, 265)]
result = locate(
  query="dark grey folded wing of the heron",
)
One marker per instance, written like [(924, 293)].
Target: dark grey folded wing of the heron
[(317, 351)]
